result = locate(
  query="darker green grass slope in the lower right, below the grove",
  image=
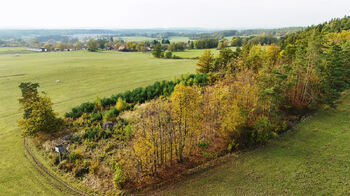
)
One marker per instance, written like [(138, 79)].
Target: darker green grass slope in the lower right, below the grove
[(312, 159)]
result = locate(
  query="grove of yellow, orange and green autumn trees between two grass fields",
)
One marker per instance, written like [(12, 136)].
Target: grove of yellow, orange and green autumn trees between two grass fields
[(238, 99)]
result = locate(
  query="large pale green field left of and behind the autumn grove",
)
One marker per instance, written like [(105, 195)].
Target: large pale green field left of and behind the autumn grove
[(83, 76)]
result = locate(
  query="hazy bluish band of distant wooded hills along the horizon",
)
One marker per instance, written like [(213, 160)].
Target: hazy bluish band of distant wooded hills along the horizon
[(58, 35)]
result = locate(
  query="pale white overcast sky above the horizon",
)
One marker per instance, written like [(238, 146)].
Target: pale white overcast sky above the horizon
[(126, 14)]
